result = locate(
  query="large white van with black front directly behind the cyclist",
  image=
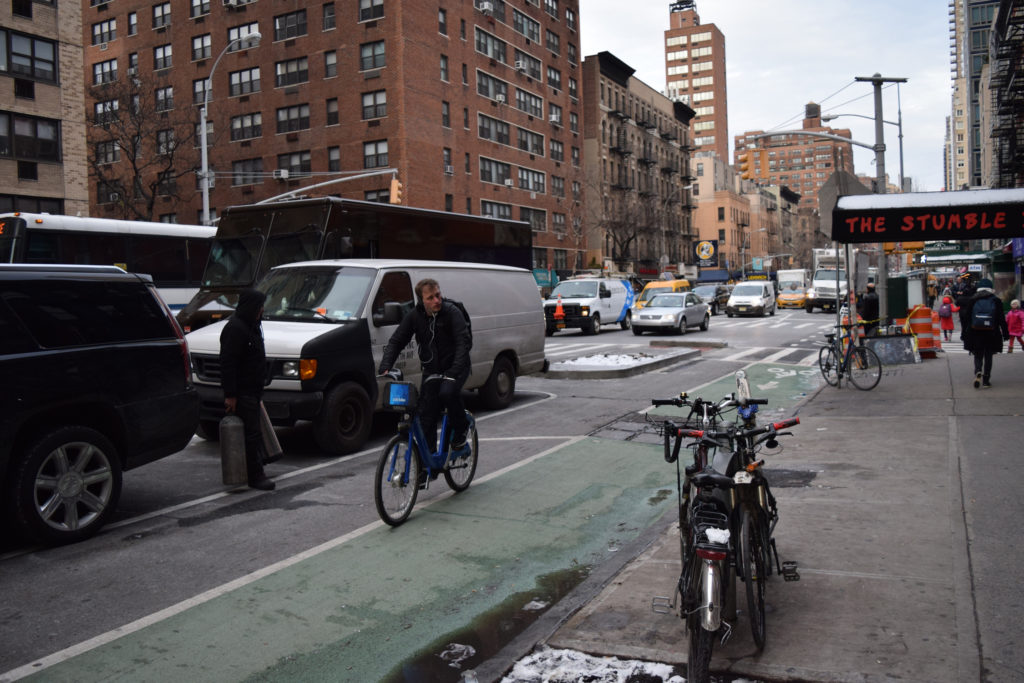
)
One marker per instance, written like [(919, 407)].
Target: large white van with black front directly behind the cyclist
[(326, 324)]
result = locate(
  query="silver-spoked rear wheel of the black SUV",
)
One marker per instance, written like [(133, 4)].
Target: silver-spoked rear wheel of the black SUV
[(67, 487)]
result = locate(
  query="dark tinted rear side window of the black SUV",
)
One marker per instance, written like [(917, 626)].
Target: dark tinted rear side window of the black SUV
[(62, 314)]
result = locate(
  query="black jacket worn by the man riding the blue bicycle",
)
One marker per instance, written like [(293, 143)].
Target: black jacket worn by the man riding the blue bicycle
[(444, 341)]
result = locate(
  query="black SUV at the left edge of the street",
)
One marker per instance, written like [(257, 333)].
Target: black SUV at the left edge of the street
[(96, 381)]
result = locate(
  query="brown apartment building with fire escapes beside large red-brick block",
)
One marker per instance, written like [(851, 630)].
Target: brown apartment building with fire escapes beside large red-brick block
[(637, 157)]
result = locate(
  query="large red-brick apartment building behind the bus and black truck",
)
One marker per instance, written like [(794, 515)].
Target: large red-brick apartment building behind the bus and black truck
[(475, 104)]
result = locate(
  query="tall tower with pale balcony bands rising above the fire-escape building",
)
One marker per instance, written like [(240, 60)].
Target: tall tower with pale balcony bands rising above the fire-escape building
[(695, 68)]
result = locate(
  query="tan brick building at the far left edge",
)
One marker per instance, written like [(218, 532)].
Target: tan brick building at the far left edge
[(42, 131)]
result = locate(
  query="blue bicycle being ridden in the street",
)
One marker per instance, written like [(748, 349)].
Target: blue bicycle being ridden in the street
[(408, 465)]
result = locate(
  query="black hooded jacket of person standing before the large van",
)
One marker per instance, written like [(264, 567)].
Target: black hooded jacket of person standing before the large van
[(243, 359)]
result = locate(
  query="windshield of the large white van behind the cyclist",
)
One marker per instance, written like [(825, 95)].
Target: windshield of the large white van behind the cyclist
[(317, 294)]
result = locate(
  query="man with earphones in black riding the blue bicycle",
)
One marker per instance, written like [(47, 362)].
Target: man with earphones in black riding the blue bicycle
[(444, 341)]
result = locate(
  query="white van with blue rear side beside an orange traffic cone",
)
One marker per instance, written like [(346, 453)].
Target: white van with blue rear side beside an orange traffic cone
[(588, 304)]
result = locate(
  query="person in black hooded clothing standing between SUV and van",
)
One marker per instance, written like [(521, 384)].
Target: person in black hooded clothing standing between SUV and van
[(243, 375)]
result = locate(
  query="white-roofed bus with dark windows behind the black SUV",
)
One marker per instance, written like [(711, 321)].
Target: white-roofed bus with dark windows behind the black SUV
[(174, 255)]
